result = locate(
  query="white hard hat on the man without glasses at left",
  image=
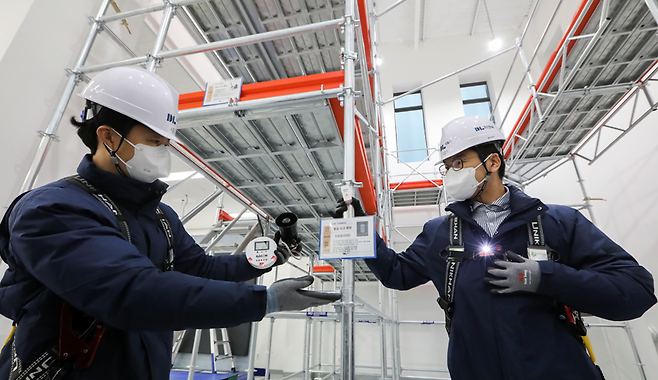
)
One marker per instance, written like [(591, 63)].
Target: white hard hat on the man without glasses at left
[(138, 94)]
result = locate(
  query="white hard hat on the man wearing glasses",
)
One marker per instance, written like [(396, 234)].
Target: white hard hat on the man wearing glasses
[(466, 132)]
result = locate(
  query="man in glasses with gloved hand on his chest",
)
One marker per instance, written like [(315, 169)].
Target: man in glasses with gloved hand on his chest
[(513, 274)]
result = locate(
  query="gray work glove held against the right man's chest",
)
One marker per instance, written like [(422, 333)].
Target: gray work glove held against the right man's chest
[(518, 274)]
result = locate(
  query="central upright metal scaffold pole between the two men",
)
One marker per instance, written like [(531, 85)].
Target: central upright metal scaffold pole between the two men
[(349, 178)]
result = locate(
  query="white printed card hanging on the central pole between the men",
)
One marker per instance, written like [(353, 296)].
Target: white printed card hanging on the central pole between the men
[(352, 238)]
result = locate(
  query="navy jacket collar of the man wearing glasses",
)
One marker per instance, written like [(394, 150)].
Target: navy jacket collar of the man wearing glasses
[(523, 209)]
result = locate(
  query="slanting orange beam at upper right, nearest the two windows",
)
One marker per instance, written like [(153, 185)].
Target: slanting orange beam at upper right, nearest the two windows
[(548, 75)]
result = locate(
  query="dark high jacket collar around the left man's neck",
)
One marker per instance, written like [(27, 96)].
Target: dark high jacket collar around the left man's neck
[(123, 190)]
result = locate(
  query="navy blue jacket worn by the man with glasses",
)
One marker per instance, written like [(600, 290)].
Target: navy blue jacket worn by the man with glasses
[(518, 336)]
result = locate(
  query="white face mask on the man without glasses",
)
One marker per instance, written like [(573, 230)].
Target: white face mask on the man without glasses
[(149, 162)]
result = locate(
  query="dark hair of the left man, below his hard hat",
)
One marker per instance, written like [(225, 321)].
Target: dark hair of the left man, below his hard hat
[(102, 116)]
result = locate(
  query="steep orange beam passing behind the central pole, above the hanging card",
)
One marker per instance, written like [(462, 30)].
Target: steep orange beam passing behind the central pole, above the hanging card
[(361, 167)]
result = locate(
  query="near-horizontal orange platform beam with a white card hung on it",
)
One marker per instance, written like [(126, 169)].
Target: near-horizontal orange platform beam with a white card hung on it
[(296, 85)]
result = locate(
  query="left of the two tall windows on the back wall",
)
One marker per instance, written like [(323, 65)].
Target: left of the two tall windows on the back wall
[(410, 128)]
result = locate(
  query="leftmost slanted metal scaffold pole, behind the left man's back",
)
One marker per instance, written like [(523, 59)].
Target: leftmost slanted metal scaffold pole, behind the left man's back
[(53, 125)]
